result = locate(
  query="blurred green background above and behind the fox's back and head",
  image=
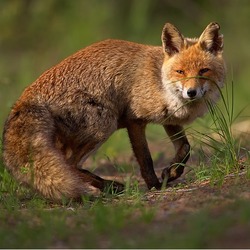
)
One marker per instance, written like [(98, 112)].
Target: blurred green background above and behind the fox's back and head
[(36, 34)]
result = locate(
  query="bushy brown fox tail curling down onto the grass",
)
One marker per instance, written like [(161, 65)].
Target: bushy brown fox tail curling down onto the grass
[(30, 155)]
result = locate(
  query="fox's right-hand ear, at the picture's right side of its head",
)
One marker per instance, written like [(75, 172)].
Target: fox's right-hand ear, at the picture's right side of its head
[(210, 40)]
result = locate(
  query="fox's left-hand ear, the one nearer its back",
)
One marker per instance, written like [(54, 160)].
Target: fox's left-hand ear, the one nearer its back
[(172, 39)]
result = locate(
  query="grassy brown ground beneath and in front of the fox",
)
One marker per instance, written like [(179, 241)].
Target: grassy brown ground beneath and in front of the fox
[(192, 212)]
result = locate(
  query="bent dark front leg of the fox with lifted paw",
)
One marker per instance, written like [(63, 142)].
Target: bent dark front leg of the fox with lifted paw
[(182, 152)]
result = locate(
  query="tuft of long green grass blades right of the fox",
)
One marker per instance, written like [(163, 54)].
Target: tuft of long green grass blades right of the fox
[(223, 147)]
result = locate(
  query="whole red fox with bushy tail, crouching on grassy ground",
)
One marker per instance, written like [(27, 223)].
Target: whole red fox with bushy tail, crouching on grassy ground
[(73, 108)]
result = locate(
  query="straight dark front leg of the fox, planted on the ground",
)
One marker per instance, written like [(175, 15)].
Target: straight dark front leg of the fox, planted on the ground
[(136, 132)]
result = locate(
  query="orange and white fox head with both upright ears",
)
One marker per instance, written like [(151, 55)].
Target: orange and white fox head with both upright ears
[(193, 68)]
